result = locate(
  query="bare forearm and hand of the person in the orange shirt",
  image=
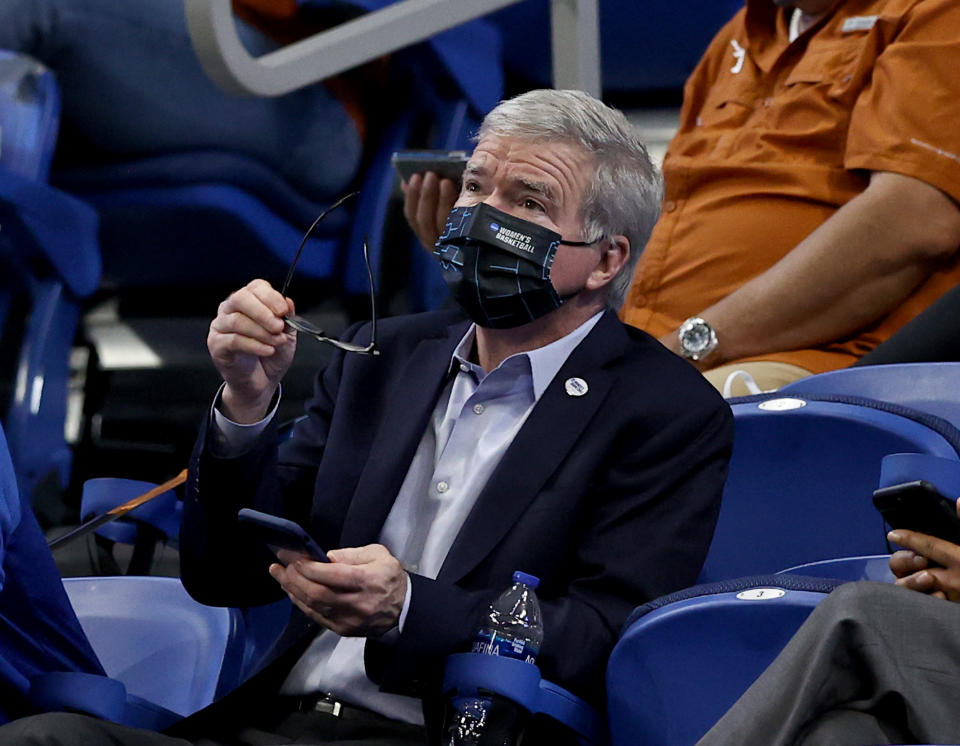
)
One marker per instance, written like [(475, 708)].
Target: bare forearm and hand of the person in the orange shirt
[(853, 270)]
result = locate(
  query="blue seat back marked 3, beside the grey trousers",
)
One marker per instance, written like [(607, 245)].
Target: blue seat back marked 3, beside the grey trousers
[(683, 659)]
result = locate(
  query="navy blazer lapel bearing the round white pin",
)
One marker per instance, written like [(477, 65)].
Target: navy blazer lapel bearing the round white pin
[(550, 432)]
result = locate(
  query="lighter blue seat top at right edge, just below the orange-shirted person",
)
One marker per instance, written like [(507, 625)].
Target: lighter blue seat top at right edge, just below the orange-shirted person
[(927, 387)]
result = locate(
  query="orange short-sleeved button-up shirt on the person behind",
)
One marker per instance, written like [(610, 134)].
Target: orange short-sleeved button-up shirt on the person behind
[(775, 136)]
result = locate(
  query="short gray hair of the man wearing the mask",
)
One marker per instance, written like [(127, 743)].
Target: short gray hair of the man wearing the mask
[(624, 195)]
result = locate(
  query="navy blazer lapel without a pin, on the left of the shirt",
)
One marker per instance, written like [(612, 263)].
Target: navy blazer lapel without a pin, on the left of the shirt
[(412, 401)]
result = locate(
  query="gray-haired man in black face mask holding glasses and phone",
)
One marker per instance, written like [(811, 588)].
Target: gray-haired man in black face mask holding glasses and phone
[(539, 434)]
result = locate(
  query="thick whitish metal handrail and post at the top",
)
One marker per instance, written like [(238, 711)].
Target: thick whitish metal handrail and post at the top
[(574, 30)]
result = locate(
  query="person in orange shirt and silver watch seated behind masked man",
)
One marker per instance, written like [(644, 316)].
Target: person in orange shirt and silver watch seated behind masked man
[(811, 189)]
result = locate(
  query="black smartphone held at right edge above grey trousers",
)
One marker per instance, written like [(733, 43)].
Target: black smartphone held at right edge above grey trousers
[(919, 506)]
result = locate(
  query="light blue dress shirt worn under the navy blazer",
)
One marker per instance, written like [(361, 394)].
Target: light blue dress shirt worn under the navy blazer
[(474, 422)]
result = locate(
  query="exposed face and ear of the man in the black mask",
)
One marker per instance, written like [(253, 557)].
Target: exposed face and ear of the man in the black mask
[(542, 183)]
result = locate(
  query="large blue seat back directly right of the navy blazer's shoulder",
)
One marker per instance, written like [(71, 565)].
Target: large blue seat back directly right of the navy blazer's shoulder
[(802, 477)]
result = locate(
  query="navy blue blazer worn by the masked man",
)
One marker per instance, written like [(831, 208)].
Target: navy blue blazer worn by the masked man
[(609, 498)]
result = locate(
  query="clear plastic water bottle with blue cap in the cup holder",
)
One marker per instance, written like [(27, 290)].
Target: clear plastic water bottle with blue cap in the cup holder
[(513, 628)]
